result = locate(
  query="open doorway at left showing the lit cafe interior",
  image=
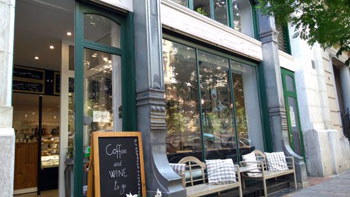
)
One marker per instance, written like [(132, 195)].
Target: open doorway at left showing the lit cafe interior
[(42, 30)]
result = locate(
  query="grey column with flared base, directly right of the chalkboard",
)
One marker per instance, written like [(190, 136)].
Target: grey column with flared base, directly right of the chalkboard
[(150, 98)]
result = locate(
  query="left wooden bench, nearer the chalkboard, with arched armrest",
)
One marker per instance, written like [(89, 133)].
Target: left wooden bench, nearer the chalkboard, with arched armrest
[(198, 185)]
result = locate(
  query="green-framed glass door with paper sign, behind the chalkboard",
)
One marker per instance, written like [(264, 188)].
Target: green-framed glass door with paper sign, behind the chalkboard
[(99, 56)]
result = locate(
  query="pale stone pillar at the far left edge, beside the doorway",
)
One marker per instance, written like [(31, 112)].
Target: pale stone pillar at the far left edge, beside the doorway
[(7, 135)]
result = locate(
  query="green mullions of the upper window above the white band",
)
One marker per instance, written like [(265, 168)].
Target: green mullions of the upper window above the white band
[(230, 14)]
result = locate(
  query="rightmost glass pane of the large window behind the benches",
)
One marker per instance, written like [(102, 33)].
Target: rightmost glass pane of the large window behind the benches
[(248, 118)]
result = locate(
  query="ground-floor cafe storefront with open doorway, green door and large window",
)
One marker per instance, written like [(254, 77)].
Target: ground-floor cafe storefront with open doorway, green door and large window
[(124, 67)]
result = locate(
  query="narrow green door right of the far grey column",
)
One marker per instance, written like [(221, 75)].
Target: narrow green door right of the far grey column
[(291, 103)]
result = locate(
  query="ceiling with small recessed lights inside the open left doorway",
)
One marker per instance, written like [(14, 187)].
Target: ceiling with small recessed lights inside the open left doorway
[(39, 24)]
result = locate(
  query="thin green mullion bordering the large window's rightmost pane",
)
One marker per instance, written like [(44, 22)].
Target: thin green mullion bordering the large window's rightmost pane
[(234, 112)]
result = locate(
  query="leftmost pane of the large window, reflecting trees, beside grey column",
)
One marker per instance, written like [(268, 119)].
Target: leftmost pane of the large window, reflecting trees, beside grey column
[(182, 114)]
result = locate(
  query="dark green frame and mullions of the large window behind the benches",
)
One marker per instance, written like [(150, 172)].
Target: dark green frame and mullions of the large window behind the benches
[(260, 86)]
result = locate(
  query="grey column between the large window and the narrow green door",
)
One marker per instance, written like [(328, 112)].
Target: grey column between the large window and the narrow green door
[(274, 92)]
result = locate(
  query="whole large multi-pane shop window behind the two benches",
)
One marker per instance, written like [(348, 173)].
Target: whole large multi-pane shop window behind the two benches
[(204, 109)]
